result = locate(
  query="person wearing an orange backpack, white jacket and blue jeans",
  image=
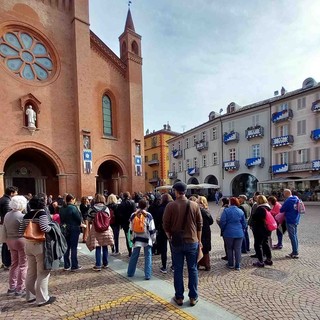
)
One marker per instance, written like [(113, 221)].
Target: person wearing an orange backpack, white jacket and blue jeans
[(143, 234)]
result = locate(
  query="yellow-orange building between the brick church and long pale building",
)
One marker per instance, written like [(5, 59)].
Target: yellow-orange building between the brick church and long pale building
[(156, 152)]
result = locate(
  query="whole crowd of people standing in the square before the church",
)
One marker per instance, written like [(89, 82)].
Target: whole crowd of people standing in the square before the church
[(154, 222)]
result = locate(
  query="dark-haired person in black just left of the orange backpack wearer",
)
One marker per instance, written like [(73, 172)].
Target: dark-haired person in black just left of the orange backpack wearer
[(125, 210)]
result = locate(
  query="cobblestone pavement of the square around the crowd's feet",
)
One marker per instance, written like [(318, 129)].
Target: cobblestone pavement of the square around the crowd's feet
[(290, 289)]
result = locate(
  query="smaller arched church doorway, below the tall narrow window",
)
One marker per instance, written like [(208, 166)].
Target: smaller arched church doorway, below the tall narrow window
[(110, 177)]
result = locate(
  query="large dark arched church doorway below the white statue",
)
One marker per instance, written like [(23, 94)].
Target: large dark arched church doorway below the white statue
[(31, 171)]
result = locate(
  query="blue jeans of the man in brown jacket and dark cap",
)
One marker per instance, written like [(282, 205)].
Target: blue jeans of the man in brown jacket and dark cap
[(190, 252)]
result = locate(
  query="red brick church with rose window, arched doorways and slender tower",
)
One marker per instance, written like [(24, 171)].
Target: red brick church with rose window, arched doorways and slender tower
[(87, 102)]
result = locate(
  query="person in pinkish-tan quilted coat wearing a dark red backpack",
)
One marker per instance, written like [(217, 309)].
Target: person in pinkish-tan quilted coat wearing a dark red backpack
[(101, 234)]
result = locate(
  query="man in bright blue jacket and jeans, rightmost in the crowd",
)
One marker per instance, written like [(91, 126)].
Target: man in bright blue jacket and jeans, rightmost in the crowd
[(292, 216)]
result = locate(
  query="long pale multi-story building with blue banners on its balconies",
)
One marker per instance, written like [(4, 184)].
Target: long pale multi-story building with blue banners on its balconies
[(265, 145)]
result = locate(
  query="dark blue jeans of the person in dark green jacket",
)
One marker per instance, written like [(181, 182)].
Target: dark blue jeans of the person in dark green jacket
[(72, 242)]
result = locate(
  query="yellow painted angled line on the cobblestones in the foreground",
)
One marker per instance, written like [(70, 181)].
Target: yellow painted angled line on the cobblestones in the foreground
[(115, 303)]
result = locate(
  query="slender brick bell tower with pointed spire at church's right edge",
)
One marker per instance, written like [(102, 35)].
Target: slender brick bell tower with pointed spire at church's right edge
[(130, 54)]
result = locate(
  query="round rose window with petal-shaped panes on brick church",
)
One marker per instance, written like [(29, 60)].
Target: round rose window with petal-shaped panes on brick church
[(26, 55)]
